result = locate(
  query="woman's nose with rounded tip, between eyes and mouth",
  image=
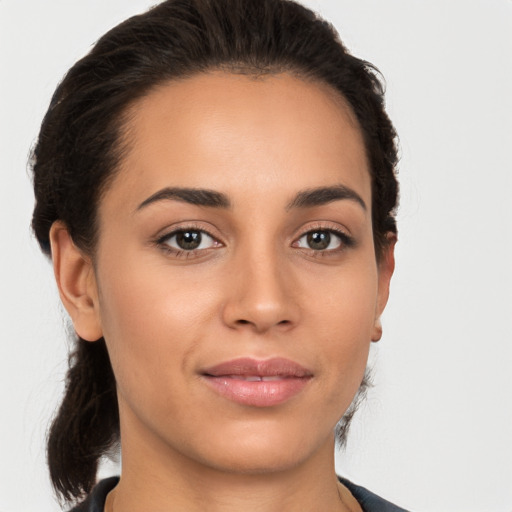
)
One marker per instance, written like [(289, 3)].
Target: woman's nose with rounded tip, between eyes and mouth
[(261, 294)]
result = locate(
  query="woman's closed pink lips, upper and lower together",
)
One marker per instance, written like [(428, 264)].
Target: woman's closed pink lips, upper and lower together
[(257, 383)]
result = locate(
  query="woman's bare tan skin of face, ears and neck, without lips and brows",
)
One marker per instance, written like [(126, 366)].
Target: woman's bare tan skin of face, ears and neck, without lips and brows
[(255, 288)]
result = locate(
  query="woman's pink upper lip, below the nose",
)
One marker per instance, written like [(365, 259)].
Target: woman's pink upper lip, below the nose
[(277, 366)]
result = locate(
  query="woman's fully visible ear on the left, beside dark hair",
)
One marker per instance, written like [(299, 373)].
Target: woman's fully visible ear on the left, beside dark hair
[(76, 281)]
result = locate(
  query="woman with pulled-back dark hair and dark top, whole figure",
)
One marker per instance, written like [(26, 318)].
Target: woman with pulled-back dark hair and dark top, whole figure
[(215, 186)]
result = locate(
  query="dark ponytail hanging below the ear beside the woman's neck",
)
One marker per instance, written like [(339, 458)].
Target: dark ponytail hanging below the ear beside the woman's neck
[(87, 423)]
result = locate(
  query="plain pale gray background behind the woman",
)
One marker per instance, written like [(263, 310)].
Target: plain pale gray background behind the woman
[(436, 431)]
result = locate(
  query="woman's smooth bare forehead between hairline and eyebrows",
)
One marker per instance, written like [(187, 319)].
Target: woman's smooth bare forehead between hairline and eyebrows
[(238, 133)]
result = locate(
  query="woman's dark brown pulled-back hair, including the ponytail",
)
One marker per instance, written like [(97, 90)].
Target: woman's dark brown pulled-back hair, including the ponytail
[(79, 149)]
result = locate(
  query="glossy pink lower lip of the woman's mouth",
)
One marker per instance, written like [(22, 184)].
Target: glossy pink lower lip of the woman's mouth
[(257, 393)]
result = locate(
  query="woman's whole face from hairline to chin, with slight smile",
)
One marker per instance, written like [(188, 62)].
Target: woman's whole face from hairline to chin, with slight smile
[(235, 277)]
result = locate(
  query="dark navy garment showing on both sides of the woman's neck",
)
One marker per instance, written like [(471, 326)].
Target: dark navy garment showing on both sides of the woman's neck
[(369, 502)]
